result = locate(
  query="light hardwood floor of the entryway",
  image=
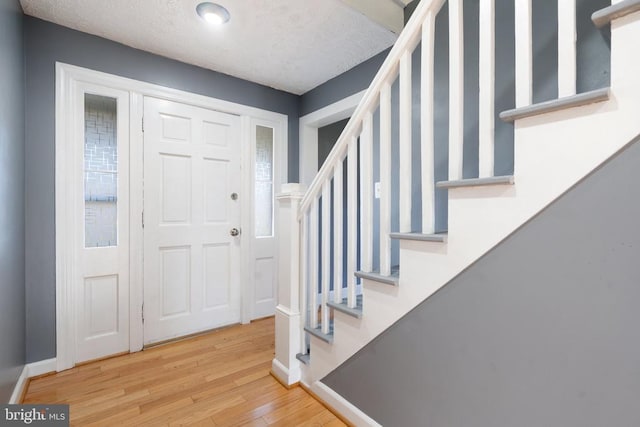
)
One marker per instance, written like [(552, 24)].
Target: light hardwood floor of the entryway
[(218, 379)]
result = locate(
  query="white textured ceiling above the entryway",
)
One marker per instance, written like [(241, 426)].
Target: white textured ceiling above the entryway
[(292, 45)]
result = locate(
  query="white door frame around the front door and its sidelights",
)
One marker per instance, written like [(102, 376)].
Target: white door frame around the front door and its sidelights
[(66, 217)]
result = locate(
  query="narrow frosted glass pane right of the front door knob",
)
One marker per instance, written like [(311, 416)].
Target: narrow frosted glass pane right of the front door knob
[(264, 181)]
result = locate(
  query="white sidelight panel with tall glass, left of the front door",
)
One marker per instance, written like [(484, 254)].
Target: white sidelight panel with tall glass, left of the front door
[(102, 248)]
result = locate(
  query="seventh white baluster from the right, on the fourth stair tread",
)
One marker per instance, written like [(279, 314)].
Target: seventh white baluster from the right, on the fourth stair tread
[(385, 179)]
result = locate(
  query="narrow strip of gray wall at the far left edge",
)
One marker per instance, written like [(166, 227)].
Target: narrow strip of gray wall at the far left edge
[(12, 315)]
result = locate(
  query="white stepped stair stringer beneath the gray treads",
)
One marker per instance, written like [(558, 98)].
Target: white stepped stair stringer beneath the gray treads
[(553, 152)]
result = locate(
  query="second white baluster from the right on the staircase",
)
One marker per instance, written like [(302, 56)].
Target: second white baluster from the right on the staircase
[(524, 55)]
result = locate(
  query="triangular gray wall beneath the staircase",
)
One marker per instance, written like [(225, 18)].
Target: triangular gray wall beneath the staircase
[(541, 331)]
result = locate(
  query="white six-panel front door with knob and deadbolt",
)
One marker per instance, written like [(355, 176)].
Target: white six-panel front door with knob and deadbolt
[(191, 206)]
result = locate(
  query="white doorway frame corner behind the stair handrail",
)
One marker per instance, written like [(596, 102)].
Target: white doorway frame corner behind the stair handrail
[(309, 125)]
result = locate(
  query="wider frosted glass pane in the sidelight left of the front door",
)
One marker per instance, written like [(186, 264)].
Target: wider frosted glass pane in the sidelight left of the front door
[(100, 171)]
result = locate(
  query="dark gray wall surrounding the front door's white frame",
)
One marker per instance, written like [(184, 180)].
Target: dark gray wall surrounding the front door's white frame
[(47, 43)]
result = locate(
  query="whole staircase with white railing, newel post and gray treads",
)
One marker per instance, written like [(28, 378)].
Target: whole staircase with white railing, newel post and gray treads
[(339, 286)]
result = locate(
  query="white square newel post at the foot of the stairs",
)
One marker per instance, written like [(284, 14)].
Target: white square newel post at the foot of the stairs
[(285, 366)]
